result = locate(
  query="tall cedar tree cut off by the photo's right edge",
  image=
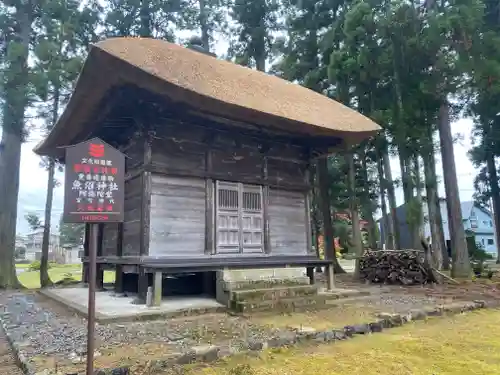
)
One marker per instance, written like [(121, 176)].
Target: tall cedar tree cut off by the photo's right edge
[(482, 57)]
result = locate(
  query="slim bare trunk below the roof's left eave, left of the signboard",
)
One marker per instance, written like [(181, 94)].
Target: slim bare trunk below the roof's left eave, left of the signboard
[(44, 262)]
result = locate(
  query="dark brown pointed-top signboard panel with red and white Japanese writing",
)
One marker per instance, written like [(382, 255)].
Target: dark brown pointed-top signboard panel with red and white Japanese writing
[(94, 183)]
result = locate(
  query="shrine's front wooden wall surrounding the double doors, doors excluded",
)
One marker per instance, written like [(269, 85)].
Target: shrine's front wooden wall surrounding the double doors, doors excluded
[(185, 157)]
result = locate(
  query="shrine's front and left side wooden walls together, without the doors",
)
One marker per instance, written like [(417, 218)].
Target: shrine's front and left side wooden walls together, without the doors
[(171, 169)]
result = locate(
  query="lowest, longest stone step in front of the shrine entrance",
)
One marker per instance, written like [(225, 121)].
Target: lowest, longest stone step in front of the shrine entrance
[(323, 300)]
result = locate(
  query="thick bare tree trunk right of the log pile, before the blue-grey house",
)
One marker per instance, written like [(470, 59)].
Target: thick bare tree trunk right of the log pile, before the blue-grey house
[(460, 254)]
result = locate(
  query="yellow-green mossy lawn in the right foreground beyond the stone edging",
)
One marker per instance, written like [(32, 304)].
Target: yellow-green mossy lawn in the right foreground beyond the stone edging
[(464, 344)]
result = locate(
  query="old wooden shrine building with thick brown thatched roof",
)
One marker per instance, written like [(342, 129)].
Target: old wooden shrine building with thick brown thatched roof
[(217, 165)]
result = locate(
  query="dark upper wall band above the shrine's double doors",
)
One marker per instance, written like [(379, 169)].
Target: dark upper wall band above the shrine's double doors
[(182, 150)]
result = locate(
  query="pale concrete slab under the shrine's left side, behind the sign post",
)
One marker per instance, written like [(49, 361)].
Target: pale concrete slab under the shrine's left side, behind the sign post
[(113, 308)]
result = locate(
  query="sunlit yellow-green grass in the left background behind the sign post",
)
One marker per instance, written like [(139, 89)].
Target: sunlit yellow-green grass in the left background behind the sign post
[(31, 279)]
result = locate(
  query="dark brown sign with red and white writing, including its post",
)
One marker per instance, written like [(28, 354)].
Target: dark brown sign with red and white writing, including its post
[(94, 194)]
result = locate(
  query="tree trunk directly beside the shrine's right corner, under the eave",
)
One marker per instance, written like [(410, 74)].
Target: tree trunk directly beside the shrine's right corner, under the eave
[(324, 191)]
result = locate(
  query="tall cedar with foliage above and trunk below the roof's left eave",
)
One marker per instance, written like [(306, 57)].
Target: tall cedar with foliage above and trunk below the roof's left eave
[(58, 59)]
